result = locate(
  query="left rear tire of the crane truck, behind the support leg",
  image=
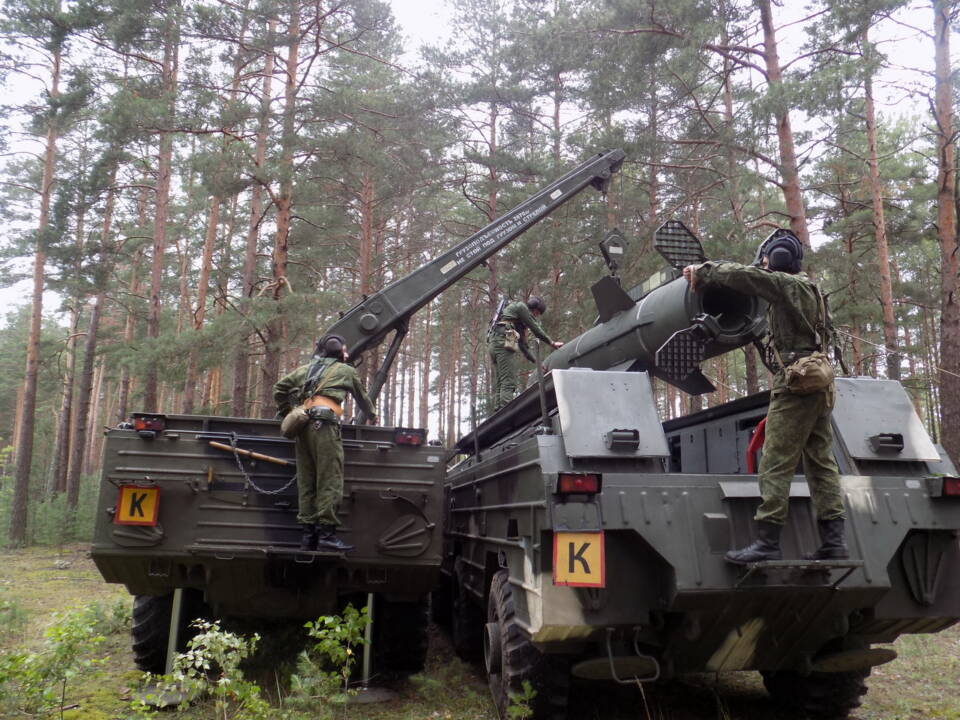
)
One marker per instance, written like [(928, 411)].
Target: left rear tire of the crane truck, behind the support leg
[(150, 628)]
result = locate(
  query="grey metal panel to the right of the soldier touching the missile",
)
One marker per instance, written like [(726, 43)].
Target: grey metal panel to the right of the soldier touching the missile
[(866, 407)]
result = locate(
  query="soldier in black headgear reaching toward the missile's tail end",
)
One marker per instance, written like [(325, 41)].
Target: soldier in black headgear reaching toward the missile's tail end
[(797, 425)]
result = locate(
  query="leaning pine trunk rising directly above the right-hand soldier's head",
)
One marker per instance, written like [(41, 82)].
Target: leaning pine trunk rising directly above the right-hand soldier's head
[(789, 172)]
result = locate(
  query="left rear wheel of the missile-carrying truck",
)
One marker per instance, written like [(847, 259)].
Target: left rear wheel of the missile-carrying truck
[(511, 659)]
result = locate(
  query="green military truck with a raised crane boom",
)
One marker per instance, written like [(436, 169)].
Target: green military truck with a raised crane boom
[(197, 513)]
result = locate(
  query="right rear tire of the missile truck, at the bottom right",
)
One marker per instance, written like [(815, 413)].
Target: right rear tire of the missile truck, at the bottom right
[(825, 696)]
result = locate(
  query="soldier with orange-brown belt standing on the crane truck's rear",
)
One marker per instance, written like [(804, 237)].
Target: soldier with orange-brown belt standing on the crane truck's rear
[(321, 387)]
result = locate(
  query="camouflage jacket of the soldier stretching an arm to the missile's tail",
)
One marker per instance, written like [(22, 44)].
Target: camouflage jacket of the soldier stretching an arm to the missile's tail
[(793, 313)]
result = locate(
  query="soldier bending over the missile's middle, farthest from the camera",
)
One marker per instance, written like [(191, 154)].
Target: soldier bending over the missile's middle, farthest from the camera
[(507, 338)]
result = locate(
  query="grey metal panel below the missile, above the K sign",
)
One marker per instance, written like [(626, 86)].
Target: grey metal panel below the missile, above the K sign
[(592, 403)]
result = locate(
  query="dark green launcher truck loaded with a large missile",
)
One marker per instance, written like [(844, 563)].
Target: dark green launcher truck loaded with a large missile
[(585, 538)]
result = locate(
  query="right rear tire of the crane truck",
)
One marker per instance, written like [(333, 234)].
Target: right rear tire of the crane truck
[(400, 635)]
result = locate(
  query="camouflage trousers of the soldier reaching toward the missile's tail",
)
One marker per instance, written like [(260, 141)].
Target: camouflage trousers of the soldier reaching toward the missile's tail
[(798, 426)]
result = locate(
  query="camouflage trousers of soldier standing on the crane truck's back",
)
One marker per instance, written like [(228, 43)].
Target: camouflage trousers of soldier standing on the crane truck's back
[(319, 473)]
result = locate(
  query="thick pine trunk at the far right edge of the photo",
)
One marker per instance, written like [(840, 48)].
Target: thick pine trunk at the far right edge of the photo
[(947, 233)]
